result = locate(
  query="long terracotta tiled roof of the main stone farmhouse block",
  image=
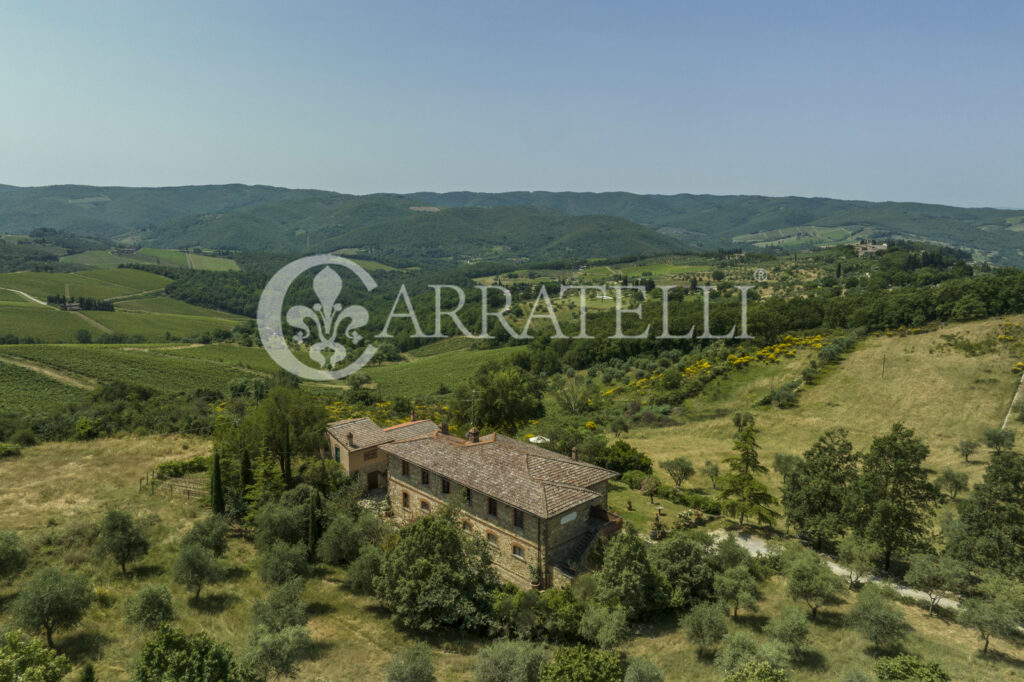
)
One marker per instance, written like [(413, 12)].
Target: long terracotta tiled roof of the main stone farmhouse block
[(527, 477)]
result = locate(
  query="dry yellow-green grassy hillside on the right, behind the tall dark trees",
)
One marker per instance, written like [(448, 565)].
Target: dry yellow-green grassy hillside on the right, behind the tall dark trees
[(926, 386)]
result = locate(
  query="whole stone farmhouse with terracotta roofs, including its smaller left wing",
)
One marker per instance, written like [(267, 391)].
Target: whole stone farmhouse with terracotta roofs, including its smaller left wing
[(543, 514)]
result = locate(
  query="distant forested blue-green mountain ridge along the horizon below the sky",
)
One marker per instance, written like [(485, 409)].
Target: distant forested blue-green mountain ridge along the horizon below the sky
[(515, 225)]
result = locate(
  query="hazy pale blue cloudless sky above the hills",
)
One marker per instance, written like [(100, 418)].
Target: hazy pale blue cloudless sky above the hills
[(877, 101)]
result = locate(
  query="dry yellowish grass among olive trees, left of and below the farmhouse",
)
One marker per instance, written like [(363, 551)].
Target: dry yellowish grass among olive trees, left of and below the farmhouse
[(55, 488)]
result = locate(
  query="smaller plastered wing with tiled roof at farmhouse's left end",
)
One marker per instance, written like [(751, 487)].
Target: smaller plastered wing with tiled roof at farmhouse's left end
[(354, 444)]
